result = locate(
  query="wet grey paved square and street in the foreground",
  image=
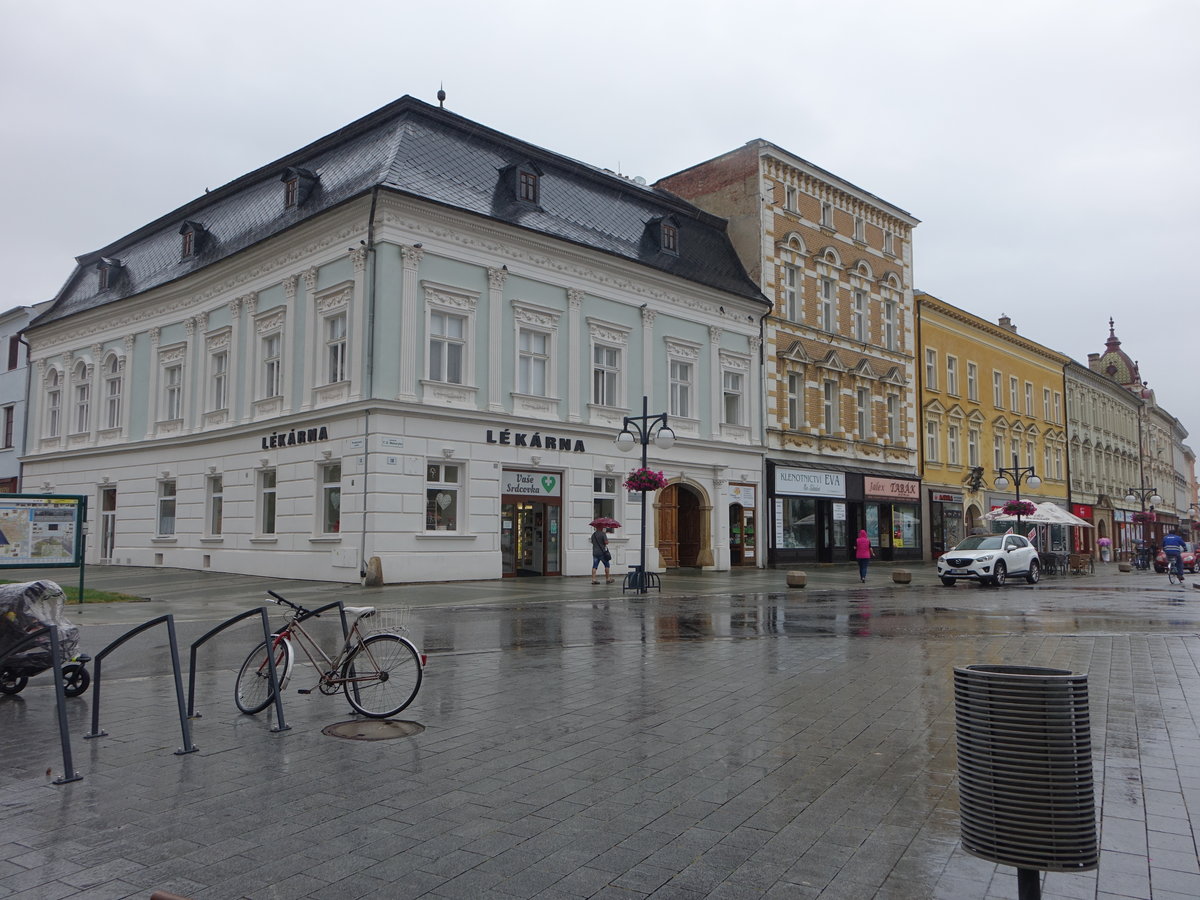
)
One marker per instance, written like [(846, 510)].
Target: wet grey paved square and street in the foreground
[(725, 740)]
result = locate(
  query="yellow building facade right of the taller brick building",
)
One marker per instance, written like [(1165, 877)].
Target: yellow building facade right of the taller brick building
[(991, 400)]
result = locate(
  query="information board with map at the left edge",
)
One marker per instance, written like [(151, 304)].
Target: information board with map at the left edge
[(41, 530)]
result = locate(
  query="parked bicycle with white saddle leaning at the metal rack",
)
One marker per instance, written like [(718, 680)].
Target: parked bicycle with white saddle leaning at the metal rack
[(381, 673)]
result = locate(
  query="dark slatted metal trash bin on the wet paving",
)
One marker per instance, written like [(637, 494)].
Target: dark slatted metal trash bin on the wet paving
[(1027, 794)]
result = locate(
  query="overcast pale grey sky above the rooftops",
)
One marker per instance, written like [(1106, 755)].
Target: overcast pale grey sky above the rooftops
[(1051, 148)]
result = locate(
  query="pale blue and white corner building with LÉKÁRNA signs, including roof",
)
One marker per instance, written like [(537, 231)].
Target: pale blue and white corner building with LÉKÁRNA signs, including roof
[(415, 343)]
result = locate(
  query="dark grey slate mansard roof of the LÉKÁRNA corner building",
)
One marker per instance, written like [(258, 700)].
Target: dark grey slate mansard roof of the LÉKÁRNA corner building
[(418, 149)]
